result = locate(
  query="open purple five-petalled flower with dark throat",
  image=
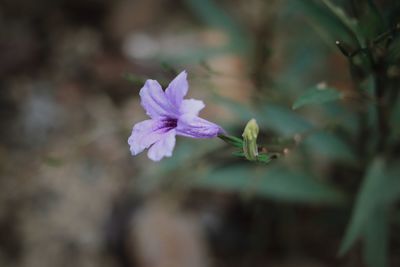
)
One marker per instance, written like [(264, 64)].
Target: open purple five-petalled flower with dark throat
[(170, 115)]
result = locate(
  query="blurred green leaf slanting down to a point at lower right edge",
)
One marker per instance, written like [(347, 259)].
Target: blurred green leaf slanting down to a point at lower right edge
[(381, 186)]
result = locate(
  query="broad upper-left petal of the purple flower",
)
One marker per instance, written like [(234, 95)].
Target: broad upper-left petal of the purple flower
[(155, 102)]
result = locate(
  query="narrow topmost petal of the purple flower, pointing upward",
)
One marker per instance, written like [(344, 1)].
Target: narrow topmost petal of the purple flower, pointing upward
[(177, 89)]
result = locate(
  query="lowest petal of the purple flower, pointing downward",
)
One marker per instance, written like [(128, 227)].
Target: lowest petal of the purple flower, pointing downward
[(163, 147)]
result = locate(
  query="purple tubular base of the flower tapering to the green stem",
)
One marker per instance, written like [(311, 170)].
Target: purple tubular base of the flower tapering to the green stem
[(196, 127)]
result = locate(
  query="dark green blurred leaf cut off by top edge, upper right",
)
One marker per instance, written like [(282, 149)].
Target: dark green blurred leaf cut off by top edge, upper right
[(331, 19)]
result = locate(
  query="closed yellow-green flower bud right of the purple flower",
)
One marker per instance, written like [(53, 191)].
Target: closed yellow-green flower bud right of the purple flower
[(250, 134)]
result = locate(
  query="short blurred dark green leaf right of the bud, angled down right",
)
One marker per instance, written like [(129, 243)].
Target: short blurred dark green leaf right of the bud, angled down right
[(330, 146)]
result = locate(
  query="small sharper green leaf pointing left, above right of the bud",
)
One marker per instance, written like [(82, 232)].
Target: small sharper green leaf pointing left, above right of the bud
[(317, 95)]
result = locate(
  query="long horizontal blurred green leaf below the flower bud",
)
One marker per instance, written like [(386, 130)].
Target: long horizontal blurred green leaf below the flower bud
[(276, 182)]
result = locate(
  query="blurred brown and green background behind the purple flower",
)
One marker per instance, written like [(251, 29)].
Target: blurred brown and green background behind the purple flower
[(72, 195)]
